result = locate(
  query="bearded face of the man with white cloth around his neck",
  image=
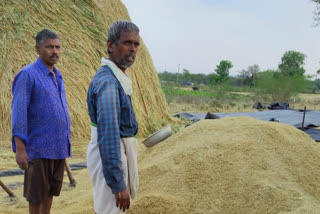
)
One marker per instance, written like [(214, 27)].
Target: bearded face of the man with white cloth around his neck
[(123, 52)]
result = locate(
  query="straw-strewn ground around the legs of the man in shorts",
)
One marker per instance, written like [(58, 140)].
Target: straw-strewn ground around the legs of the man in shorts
[(72, 200)]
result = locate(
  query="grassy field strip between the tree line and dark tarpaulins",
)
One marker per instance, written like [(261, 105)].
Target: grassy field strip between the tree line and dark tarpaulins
[(208, 99)]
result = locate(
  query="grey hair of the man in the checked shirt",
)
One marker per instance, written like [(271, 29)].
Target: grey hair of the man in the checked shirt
[(117, 27)]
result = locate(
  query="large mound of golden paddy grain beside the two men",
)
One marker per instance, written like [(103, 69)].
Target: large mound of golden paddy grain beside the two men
[(232, 165)]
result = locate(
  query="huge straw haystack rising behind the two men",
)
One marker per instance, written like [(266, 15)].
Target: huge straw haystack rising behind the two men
[(82, 27)]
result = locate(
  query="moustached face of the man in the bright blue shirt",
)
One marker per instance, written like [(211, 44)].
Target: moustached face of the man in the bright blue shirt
[(49, 51)]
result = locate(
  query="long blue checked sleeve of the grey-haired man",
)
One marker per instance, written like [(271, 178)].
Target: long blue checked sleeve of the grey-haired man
[(108, 120)]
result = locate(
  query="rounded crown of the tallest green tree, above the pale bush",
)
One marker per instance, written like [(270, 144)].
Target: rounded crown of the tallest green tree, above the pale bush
[(292, 63)]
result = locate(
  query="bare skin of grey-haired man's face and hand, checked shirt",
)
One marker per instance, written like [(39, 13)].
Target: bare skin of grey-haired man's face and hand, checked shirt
[(123, 54)]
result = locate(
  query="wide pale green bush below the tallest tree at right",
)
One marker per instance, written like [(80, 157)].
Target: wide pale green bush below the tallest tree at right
[(279, 87)]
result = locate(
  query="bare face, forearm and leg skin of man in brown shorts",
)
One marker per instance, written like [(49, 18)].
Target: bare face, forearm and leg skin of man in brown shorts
[(49, 52)]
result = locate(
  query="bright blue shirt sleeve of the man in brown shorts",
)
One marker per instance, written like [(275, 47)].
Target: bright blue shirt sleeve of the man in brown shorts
[(21, 91)]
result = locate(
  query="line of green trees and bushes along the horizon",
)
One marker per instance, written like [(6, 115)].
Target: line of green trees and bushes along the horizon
[(282, 83)]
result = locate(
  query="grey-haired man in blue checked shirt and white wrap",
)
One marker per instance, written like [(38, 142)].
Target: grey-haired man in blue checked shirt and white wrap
[(112, 151)]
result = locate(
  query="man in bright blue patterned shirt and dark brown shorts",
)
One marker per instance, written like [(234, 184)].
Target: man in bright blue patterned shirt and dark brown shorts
[(41, 124)]
